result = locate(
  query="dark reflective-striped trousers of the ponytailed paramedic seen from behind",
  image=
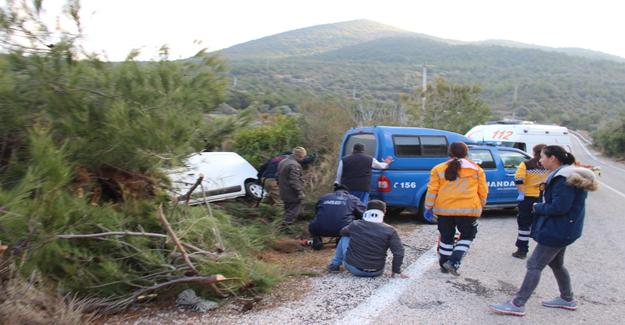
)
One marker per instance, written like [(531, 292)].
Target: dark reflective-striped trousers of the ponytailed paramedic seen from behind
[(448, 248)]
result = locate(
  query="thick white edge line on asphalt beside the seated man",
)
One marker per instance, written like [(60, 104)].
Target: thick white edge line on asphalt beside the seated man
[(389, 293)]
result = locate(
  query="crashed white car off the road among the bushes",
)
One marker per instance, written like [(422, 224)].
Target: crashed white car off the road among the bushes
[(226, 175)]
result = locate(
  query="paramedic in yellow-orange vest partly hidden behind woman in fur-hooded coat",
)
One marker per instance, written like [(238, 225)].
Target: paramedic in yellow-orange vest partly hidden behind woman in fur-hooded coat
[(528, 177)]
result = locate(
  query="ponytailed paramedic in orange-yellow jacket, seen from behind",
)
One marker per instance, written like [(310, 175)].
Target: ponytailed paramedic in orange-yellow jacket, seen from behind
[(456, 194)]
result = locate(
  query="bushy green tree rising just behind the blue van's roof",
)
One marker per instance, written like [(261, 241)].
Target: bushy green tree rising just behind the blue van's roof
[(450, 107)]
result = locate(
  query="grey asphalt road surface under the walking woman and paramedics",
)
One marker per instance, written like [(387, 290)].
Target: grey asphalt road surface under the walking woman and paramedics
[(489, 274)]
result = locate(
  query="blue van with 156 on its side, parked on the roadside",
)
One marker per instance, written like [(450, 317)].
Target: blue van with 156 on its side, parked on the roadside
[(415, 151)]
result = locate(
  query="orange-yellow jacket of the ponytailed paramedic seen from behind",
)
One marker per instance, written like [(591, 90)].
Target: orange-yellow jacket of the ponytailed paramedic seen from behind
[(466, 196)]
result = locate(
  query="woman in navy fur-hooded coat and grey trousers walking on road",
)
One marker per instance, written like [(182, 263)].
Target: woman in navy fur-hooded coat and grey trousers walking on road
[(559, 222)]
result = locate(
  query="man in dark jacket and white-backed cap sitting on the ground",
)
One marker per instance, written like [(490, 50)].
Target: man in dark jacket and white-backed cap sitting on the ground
[(362, 249)]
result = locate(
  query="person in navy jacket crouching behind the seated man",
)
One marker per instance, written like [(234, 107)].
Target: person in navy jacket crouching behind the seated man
[(334, 211)]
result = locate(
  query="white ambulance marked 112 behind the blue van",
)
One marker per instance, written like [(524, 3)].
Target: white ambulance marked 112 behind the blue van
[(522, 135)]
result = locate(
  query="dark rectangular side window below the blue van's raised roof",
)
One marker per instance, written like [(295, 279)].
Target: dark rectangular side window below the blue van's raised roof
[(415, 146)]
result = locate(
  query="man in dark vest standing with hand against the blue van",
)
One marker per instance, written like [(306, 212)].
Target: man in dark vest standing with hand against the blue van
[(354, 171)]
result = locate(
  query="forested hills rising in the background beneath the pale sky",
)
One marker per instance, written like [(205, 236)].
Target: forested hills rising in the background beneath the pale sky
[(373, 63)]
